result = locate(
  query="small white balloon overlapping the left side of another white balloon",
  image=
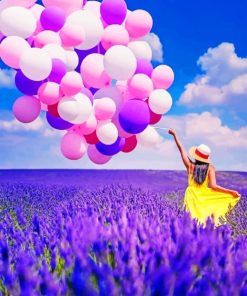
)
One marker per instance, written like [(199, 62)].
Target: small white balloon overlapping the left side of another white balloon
[(68, 109)]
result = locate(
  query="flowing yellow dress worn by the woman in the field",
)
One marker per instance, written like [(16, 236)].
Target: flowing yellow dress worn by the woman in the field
[(202, 202)]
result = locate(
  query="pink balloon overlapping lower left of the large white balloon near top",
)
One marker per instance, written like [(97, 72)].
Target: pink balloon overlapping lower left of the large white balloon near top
[(72, 35)]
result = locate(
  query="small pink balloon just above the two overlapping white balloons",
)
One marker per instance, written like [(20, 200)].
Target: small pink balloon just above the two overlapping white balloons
[(71, 83)]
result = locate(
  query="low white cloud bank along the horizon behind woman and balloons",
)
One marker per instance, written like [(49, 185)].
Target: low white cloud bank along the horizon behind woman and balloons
[(228, 145)]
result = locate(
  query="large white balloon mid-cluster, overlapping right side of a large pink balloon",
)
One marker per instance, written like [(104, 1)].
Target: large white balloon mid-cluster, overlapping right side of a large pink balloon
[(119, 62)]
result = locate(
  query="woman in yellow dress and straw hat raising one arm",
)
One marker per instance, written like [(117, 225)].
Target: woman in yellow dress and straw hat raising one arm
[(200, 200)]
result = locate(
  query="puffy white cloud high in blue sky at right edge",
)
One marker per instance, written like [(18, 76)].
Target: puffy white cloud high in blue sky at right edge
[(224, 80)]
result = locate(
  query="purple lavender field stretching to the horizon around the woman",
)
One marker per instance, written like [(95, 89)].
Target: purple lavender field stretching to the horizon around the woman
[(72, 232)]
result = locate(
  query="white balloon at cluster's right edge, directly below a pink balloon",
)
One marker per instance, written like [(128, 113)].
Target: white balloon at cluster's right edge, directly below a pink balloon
[(160, 101)]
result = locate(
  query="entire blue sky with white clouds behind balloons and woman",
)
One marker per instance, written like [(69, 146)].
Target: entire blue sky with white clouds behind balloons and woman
[(187, 30)]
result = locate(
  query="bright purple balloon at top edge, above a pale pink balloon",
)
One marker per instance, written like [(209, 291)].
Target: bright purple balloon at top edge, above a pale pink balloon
[(113, 11)]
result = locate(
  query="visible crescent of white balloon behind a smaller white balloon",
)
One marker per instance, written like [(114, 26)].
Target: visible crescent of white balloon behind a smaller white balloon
[(85, 109)]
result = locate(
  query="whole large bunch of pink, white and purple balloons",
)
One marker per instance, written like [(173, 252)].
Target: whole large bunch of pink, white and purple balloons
[(88, 66)]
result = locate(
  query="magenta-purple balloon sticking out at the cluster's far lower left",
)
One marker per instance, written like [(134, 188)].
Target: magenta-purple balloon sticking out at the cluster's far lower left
[(26, 109)]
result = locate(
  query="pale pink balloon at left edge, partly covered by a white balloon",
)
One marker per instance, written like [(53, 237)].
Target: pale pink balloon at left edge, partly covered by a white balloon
[(11, 49)]
